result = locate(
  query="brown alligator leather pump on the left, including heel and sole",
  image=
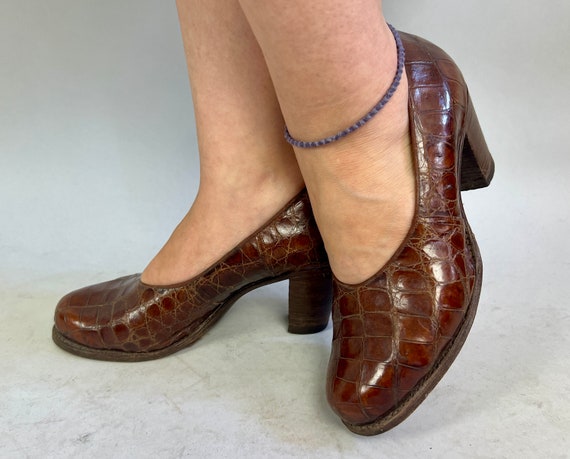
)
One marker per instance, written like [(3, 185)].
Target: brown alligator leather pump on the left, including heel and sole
[(127, 320)]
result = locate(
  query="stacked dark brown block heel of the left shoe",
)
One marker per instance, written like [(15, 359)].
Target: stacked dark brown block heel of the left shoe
[(310, 301)]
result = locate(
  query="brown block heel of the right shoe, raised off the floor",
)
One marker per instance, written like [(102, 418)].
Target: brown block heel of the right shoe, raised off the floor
[(477, 165)]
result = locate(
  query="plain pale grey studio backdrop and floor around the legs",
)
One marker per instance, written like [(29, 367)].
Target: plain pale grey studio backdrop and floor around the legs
[(98, 163)]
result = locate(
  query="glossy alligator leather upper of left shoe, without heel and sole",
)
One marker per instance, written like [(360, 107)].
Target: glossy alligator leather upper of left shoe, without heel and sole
[(127, 315)]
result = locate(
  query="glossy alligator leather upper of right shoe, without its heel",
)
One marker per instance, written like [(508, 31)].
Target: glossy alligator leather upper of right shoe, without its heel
[(391, 331)]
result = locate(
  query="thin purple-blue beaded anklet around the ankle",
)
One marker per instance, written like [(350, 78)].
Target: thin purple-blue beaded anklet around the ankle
[(362, 121)]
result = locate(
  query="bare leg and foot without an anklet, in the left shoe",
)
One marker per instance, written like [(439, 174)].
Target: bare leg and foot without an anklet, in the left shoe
[(247, 170)]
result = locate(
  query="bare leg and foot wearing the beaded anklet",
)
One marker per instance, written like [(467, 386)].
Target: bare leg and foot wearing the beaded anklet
[(331, 61)]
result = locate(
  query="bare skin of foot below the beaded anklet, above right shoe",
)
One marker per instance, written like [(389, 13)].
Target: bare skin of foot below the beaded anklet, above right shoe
[(232, 203)]
